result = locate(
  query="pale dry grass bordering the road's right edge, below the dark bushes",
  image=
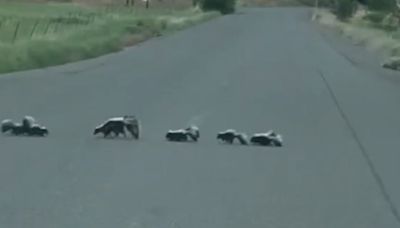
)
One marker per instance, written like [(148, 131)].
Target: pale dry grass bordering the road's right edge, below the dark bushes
[(370, 33)]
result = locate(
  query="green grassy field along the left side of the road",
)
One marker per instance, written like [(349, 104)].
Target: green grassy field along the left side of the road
[(34, 35)]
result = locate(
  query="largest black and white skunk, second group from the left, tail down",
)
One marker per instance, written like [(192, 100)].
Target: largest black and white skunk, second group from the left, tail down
[(117, 126)]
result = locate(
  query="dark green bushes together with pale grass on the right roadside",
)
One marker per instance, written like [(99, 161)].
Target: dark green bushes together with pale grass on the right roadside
[(372, 23)]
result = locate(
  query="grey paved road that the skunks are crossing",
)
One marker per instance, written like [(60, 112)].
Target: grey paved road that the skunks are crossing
[(257, 70)]
